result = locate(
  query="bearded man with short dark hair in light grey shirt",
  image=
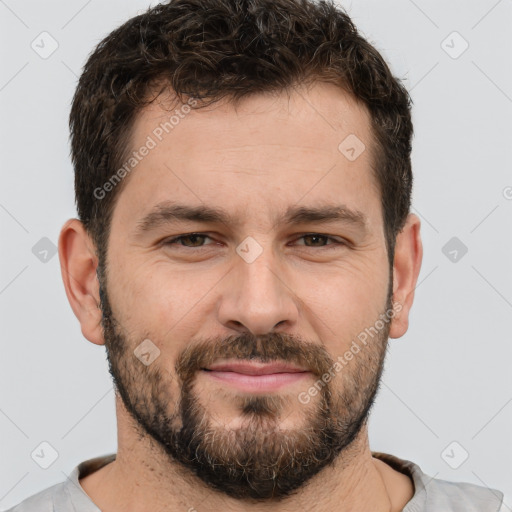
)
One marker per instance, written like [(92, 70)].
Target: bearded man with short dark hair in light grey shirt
[(244, 250)]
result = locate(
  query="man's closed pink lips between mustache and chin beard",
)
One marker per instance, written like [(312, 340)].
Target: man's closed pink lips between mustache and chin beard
[(256, 377)]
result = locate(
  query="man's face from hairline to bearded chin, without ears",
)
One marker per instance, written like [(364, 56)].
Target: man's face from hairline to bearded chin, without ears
[(257, 292)]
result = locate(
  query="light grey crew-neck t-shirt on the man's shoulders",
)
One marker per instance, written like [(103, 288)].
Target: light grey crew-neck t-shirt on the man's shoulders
[(430, 494)]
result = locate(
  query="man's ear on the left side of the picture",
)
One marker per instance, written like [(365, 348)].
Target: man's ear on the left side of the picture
[(78, 263)]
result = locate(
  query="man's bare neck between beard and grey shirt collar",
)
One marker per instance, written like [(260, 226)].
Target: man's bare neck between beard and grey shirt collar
[(143, 478)]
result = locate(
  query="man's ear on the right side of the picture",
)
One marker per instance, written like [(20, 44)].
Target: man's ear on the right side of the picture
[(406, 268)]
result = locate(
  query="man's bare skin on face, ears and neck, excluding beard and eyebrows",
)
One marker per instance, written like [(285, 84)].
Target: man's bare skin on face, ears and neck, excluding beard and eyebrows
[(272, 152)]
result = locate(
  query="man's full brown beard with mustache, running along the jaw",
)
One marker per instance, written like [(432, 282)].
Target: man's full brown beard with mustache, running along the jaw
[(258, 459)]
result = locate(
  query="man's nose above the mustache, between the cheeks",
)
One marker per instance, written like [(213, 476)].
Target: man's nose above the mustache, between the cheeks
[(258, 296)]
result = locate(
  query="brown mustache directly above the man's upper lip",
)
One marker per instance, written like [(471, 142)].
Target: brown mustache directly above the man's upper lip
[(267, 348)]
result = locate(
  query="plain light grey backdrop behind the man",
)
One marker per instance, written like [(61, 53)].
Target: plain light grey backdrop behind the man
[(448, 379)]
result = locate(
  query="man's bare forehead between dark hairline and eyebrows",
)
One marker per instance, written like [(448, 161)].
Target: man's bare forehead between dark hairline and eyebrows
[(269, 151)]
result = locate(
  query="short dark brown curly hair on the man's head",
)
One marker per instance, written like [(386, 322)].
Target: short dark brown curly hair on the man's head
[(211, 49)]
